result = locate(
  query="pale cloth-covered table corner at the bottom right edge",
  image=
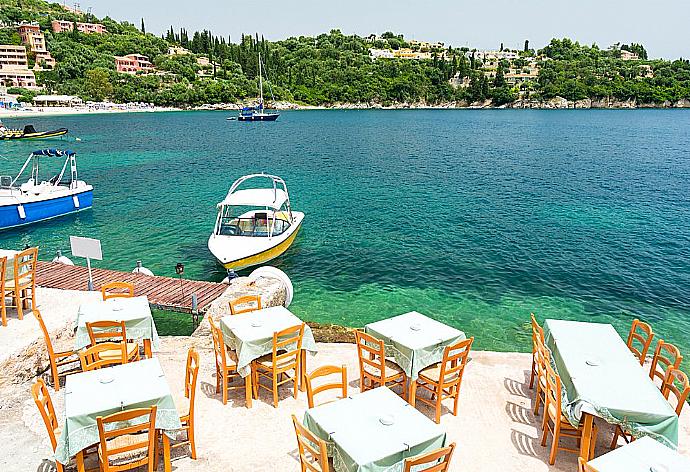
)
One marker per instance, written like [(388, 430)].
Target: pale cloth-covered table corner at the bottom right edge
[(640, 456)]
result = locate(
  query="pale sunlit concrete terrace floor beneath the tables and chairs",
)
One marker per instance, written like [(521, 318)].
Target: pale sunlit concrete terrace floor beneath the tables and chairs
[(494, 430)]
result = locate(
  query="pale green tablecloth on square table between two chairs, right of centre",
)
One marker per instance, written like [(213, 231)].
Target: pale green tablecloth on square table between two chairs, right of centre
[(414, 340)]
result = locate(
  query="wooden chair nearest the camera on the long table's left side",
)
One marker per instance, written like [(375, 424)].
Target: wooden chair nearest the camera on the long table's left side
[(556, 423)]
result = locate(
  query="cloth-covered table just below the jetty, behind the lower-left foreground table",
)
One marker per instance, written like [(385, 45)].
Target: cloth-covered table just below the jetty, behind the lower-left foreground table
[(135, 312)]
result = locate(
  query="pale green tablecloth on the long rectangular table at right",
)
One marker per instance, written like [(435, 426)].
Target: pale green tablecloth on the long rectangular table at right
[(598, 371)]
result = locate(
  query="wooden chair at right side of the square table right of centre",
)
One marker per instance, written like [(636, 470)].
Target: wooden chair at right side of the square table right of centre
[(444, 379)]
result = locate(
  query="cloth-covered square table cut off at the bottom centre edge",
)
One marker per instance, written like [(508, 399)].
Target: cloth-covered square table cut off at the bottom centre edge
[(359, 442)]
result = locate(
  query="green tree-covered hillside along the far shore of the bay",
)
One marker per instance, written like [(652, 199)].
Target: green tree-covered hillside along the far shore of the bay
[(335, 68)]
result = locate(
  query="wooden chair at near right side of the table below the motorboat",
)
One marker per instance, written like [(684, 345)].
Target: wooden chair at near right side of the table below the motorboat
[(277, 364)]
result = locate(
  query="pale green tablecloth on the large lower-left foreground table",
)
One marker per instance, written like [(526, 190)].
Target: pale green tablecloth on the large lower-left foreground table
[(139, 384)]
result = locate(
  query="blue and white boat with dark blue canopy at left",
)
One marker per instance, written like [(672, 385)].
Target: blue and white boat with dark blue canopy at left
[(23, 203)]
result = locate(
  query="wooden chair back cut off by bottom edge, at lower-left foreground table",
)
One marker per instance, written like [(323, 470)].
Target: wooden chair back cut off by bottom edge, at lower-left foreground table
[(128, 447)]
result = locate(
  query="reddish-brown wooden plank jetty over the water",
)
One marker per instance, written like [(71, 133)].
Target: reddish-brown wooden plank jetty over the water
[(166, 293)]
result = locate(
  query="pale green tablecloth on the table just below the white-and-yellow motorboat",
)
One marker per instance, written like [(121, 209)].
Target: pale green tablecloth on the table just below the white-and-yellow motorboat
[(250, 334)]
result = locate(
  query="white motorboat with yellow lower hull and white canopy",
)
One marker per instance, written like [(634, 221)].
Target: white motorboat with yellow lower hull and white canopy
[(255, 222)]
